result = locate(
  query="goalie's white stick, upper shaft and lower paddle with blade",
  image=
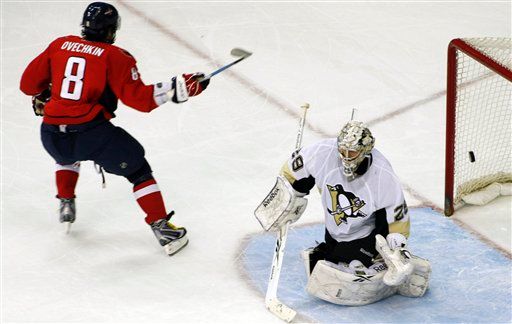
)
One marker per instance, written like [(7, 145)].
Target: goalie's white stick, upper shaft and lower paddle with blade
[(273, 304)]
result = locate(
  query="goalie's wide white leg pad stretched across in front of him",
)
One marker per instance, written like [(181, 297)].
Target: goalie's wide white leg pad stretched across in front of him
[(342, 288)]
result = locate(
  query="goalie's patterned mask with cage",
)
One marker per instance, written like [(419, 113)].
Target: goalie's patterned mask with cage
[(355, 142)]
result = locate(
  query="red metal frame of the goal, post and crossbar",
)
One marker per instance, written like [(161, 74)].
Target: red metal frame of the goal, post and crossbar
[(451, 100)]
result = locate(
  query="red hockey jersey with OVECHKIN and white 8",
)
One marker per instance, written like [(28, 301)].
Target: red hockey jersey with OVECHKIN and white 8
[(86, 78)]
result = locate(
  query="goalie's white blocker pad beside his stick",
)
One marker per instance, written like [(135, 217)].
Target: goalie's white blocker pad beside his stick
[(282, 205)]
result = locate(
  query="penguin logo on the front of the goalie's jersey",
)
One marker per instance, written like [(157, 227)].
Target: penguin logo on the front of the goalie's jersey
[(344, 204)]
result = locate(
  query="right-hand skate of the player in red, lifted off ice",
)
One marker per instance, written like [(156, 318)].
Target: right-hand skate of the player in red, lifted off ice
[(171, 237)]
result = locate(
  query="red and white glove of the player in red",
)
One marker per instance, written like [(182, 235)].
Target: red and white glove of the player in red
[(180, 88)]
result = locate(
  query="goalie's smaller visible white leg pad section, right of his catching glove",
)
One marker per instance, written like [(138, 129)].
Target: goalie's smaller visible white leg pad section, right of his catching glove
[(417, 283)]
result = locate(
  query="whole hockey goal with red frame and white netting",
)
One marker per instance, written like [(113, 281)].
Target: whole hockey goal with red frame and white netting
[(478, 118)]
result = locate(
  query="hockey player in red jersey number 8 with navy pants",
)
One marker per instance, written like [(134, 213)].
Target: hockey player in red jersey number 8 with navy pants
[(75, 84)]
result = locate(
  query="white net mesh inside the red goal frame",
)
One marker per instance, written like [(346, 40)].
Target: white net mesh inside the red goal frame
[(483, 118)]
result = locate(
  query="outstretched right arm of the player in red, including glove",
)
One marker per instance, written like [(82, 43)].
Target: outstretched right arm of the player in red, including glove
[(125, 81)]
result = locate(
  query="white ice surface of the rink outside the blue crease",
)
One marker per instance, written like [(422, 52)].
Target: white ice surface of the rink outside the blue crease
[(217, 156)]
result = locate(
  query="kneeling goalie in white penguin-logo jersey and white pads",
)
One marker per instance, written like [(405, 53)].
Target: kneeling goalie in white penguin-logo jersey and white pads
[(364, 256)]
